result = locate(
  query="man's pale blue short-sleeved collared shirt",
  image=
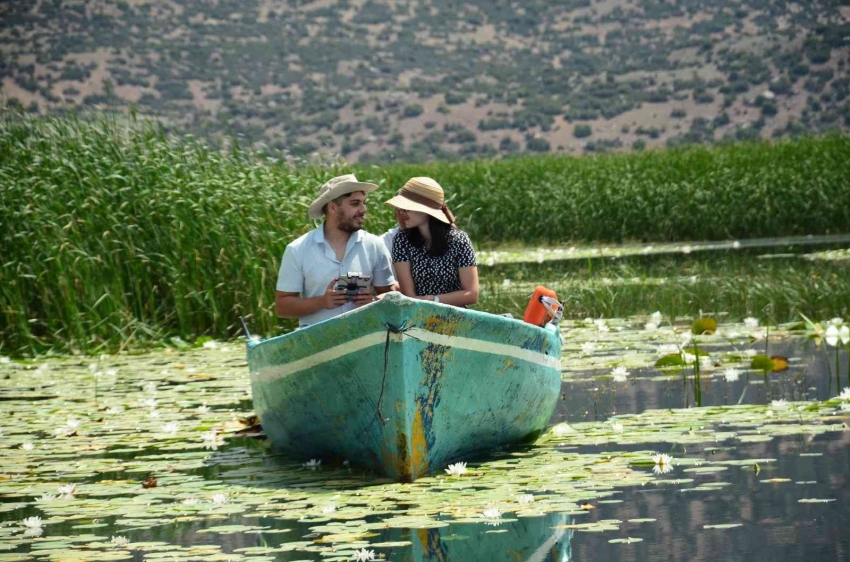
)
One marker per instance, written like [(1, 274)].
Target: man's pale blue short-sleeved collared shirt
[(309, 264)]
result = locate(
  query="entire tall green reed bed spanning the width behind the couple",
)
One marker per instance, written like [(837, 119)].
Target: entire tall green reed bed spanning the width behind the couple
[(114, 234)]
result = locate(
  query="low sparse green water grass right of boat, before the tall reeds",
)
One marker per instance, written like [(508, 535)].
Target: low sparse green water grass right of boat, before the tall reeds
[(736, 285)]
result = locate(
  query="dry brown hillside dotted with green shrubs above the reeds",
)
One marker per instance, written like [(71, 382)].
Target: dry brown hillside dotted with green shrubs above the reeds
[(411, 80)]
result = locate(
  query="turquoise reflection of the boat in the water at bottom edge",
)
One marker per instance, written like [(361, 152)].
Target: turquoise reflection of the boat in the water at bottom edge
[(528, 539)]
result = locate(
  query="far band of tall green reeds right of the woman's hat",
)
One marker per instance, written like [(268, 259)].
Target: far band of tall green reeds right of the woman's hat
[(735, 191)]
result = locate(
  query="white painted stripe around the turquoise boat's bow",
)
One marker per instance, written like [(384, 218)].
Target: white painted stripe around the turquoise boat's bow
[(379, 338)]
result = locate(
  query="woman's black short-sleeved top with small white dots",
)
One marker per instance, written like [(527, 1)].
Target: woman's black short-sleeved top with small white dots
[(435, 275)]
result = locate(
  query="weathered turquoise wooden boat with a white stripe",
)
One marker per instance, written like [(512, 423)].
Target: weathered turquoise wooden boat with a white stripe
[(405, 387)]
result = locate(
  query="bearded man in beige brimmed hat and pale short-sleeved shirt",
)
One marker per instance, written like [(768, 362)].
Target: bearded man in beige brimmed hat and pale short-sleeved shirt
[(312, 264)]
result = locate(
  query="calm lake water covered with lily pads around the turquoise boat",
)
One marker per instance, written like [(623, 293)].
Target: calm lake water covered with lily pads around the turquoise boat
[(761, 481)]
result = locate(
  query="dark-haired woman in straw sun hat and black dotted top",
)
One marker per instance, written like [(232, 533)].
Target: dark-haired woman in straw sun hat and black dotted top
[(433, 260)]
